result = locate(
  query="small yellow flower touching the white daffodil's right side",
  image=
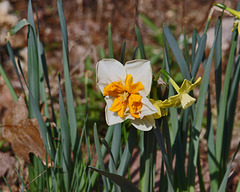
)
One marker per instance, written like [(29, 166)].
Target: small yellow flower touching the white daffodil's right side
[(161, 107)]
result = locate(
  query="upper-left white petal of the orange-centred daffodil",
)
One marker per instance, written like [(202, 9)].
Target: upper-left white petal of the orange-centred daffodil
[(108, 71)]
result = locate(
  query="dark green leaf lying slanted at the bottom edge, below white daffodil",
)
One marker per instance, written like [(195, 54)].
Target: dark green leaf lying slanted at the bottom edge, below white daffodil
[(124, 183)]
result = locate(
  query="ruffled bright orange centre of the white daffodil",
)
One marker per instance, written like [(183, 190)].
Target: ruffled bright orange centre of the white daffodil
[(127, 98)]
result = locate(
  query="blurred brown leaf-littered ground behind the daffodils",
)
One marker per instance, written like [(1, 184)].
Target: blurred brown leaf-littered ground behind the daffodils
[(87, 22)]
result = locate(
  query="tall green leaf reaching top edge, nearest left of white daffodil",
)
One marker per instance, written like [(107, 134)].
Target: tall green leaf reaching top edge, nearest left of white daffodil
[(68, 86)]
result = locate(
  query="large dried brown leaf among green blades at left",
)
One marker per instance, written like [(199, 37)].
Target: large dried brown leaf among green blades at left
[(23, 133)]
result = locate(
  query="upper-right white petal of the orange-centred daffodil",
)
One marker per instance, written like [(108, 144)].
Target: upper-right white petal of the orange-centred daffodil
[(141, 71)]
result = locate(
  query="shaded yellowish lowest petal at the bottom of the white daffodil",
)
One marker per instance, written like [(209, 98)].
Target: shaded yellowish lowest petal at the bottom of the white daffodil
[(145, 124)]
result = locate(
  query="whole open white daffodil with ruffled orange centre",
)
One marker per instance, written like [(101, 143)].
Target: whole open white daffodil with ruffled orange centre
[(126, 89)]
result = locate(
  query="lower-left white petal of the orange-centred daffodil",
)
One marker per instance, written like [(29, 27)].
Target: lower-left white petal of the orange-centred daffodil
[(111, 117)]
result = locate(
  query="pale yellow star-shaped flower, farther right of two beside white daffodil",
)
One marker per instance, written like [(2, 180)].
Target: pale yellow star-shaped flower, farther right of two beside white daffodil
[(182, 96)]
